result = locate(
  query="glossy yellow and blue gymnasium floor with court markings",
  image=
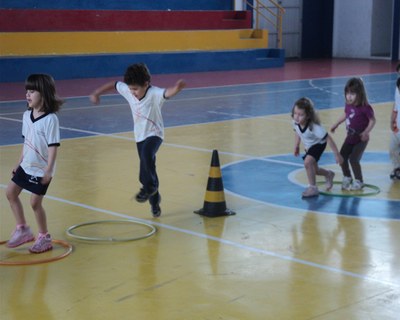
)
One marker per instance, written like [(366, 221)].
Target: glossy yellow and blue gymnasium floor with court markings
[(280, 257)]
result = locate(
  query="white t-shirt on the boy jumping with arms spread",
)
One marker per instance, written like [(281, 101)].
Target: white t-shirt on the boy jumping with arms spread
[(146, 112)]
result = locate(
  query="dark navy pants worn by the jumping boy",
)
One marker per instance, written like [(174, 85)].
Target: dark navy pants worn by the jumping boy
[(147, 150)]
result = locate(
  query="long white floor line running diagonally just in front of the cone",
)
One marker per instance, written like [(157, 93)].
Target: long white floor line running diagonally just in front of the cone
[(224, 241)]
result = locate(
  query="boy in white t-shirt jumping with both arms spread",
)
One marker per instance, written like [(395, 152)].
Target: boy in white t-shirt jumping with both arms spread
[(145, 101)]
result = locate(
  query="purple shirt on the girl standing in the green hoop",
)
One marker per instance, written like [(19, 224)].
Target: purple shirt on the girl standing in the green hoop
[(357, 119)]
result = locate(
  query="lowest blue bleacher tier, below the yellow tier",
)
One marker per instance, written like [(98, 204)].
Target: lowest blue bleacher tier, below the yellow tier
[(72, 67)]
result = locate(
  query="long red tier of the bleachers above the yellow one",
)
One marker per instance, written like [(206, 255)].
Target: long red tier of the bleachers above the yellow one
[(26, 20)]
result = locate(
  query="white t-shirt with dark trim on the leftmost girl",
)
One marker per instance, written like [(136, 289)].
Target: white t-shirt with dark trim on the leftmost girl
[(39, 134)]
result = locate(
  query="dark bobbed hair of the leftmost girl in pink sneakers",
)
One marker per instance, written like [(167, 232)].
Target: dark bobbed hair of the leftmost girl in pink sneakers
[(45, 85)]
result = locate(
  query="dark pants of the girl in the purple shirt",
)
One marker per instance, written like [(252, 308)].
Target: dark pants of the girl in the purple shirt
[(352, 154)]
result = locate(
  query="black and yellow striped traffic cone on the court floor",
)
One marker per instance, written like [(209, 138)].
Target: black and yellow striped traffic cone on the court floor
[(214, 202)]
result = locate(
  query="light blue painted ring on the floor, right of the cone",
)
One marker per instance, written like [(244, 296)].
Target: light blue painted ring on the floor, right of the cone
[(259, 179)]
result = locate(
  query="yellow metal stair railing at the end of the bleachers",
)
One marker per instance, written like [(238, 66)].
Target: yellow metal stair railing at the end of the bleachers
[(277, 13)]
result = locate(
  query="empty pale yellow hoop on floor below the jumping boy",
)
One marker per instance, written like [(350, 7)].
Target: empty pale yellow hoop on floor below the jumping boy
[(152, 230)]
